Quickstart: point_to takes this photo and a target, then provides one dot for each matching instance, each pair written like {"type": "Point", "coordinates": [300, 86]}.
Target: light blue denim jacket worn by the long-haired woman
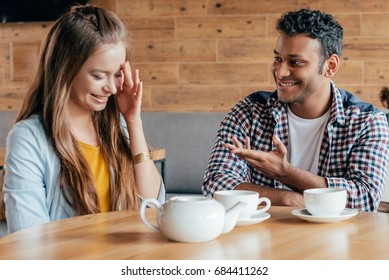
{"type": "Point", "coordinates": [32, 193]}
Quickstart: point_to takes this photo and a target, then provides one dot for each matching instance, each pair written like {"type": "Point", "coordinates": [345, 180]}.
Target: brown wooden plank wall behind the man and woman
{"type": "Point", "coordinates": [205, 55]}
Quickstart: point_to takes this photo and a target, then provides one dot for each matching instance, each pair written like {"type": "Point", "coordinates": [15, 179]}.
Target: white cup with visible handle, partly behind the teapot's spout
{"type": "Point", "coordinates": [251, 200]}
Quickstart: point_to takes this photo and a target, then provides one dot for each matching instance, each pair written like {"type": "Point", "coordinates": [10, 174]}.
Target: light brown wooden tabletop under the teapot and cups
{"type": "Point", "coordinates": [122, 235]}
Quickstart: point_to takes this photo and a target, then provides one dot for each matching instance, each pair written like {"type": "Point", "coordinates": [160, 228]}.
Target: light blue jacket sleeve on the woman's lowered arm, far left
{"type": "Point", "coordinates": [24, 183]}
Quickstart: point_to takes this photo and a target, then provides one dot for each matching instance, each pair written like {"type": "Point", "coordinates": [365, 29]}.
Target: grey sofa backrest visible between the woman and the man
{"type": "Point", "coordinates": [188, 139]}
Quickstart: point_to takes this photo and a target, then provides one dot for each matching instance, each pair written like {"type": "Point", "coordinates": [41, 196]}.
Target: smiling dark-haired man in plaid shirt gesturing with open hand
{"type": "Point", "coordinates": [306, 134]}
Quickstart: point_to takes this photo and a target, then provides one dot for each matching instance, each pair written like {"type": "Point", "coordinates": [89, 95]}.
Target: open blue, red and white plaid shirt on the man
{"type": "Point", "coordinates": [353, 155]}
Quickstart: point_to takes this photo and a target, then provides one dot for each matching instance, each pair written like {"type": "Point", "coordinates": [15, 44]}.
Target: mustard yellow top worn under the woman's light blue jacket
{"type": "Point", "coordinates": [98, 166]}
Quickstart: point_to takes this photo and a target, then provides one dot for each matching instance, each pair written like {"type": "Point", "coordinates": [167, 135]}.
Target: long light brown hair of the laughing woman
{"type": "Point", "coordinates": [71, 40]}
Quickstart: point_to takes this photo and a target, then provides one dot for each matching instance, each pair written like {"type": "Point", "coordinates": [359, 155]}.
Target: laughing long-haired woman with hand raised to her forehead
{"type": "Point", "coordinates": [78, 146]}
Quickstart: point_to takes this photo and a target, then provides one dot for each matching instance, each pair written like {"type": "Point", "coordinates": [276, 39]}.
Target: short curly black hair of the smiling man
{"type": "Point", "coordinates": [316, 25]}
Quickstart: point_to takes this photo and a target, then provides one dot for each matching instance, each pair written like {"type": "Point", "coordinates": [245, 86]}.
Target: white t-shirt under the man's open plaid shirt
{"type": "Point", "coordinates": [305, 137]}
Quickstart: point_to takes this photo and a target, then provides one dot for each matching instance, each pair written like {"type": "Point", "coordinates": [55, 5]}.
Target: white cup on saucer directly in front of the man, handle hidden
{"type": "Point", "coordinates": [325, 202]}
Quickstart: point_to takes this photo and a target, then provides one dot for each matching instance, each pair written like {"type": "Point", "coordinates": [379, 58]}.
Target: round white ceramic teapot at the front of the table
{"type": "Point", "coordinates": [191, 218]}
